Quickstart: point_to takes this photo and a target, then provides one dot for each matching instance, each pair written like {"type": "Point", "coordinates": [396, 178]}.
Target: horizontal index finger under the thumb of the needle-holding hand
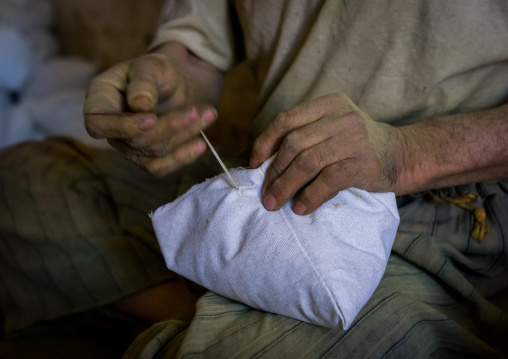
{"type": "Point", "coordinates": [118, 125]}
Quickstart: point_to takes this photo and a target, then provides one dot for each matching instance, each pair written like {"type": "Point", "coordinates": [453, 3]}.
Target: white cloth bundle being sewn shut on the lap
{"type": "Point", "coordinates": [320, 268]}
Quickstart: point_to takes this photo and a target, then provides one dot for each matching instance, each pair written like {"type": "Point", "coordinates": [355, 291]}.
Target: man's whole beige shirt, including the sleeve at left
{"type": "Point", "coordinates": [398, 60]}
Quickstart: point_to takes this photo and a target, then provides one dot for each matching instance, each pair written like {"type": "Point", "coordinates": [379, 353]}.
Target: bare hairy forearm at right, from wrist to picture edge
{"type": "Point", "coordinates": [454, 150]}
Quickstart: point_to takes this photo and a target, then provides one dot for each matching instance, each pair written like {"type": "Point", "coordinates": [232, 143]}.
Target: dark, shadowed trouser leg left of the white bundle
{"type": "Point", "coordinates": [75, 230]}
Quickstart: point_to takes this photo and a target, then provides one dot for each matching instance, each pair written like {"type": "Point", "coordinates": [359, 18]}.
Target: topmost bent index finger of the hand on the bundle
{"type": "Point", "coordinates": [285, 122]}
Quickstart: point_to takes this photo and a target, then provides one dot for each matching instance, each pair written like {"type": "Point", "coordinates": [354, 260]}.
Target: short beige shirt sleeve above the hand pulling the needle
{"type": "Point", "coordinates": [205, 27]}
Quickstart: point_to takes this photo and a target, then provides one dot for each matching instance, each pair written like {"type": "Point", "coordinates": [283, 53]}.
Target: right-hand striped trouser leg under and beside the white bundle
{"type": "Point", "coordinates": [442, 295]}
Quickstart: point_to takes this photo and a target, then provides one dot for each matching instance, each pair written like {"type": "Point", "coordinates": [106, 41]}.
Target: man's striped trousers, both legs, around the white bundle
{"type": "Point", "coordinates": [74, 235]}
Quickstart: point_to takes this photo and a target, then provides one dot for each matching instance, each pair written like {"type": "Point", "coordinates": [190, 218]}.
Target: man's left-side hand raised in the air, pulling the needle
{"type": "Point", "coordinates": [152, 108]}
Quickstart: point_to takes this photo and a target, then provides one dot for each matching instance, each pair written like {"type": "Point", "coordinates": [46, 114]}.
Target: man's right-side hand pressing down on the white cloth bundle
{"type": "Point", "coordinates": [325, 146]}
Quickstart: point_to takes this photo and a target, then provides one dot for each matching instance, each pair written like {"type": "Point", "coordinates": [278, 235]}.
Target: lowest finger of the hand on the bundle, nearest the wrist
{"type": "Point", "coordinates": [333, 179]}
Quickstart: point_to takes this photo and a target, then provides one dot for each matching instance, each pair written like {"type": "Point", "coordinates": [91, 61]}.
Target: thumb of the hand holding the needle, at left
{"type": "Point", "coordinates": [149, 79]}
